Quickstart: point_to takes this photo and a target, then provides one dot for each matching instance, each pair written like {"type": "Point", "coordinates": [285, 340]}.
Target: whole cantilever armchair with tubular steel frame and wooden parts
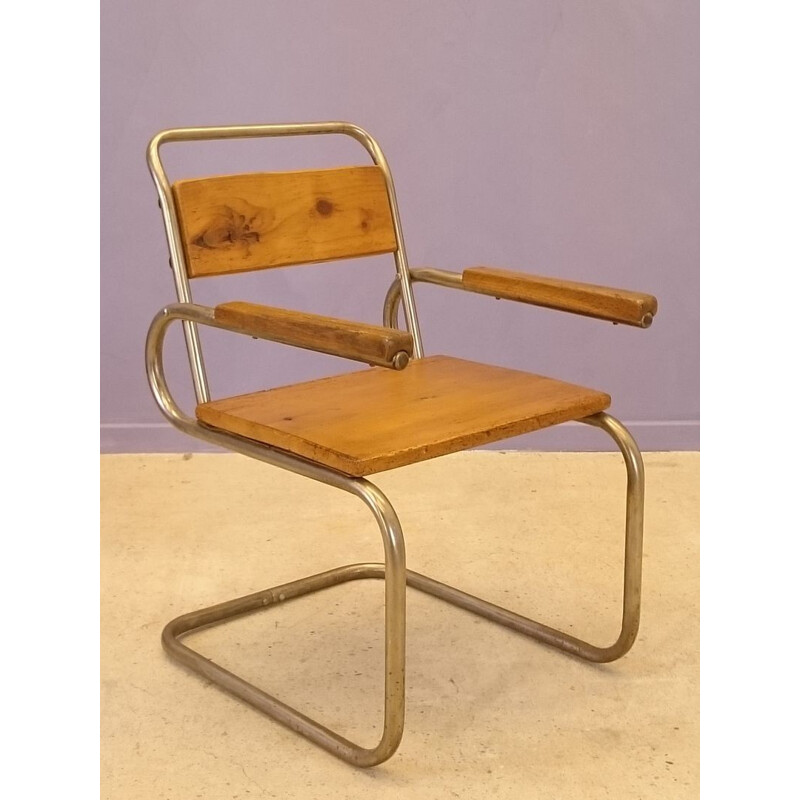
{"type": "Point", "coordinates": [404, 408]}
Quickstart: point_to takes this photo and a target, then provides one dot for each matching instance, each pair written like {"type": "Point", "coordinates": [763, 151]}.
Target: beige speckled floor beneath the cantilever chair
{"type": "Point", "coordinates": [490, 713]}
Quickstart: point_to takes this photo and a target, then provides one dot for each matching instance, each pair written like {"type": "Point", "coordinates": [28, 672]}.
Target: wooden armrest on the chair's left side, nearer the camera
{"type": "Point", "coordinates": [372, 344]}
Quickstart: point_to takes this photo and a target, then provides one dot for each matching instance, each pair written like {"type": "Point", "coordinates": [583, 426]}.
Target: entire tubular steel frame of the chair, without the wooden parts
{"type": "Point", "coordinates": [393, 571]}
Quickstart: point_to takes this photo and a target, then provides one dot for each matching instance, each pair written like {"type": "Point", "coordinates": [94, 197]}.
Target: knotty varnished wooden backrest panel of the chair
{"type": "Point", "coordinates": [238, 223]}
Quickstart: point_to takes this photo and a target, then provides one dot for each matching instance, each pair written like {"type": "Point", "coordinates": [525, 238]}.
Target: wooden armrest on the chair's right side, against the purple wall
{"type": "Point", "coordinates": [601, 302]}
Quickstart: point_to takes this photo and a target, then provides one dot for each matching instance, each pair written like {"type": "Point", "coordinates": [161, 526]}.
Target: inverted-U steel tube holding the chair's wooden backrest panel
{"type": "Point", "coordinates": [167, 204]}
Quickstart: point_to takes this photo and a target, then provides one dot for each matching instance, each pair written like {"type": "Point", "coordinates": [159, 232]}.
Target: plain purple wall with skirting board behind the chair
{"type": "Point", "coordinates": [559, 138]}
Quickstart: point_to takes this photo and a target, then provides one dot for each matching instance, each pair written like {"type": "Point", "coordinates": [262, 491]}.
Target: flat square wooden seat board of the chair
{"type": "Point", "coordinates": [378, 419]}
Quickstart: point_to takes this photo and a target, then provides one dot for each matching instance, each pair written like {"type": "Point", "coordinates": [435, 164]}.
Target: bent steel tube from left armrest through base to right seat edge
{"type": "Point", "coordinates": [393, 571]}
